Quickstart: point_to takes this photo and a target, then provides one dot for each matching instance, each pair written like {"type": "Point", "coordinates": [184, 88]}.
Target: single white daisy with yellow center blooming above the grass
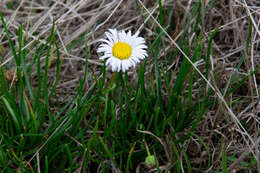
{"type": "Point", "coordinates": [122, 50]}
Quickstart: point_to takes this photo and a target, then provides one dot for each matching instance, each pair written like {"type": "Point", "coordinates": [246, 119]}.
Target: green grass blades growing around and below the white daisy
{"type": "Point", "coordinates": [116, 124]}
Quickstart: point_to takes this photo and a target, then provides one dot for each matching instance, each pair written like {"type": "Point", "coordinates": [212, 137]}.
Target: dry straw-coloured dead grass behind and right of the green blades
{"type": "Point", "coordinates": [90, 18]}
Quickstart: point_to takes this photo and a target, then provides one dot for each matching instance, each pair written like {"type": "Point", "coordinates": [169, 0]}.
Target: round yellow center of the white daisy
{"type": "Point", "coordinates": [121, 50]}
